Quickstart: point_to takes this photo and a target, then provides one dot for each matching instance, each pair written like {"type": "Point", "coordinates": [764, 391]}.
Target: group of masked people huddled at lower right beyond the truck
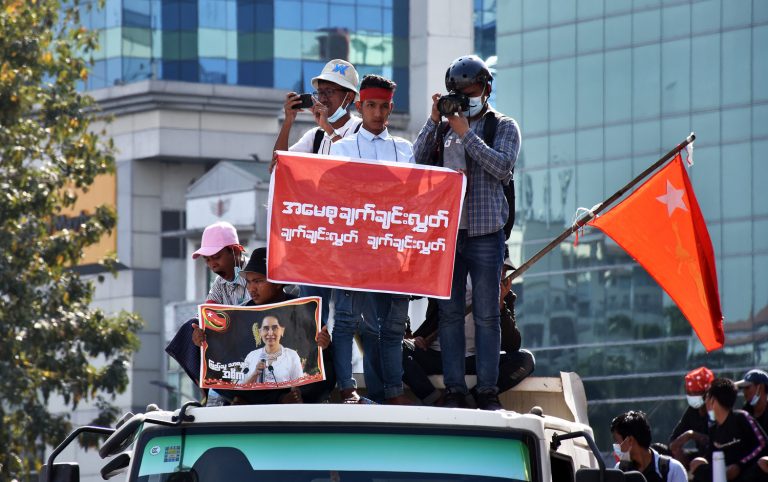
{"type": "Point", "coordinates": [709, 424]}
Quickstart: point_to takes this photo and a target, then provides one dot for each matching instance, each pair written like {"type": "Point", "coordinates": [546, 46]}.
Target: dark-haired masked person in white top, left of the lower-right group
{"type": "Point", "coordinates": [632, 445]}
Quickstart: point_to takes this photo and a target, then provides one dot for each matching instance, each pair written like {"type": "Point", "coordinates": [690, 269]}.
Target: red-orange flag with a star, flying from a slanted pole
{"type": "Point", "coordinates": [660, 225]}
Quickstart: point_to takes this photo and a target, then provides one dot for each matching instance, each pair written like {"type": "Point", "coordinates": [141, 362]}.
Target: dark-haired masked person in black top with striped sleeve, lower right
{"type": "Point", "coordinates": [735, 433]}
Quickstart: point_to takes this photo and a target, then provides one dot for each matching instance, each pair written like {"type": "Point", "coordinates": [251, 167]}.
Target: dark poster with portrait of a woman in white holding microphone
{"type": "Point", "coordinates": [261, 347]}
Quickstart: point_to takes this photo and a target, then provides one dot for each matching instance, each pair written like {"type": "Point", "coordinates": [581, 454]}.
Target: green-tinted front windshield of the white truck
{"type": "Point", "coordinates": [330, 456]}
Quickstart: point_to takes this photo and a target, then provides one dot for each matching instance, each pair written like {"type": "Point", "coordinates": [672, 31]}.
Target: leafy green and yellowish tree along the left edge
{"type": "Point", "coordinates": [51, 337]}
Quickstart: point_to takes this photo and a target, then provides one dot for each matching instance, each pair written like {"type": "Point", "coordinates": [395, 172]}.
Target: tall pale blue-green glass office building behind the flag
{"type": "Point", "coordinates": [601, 90]}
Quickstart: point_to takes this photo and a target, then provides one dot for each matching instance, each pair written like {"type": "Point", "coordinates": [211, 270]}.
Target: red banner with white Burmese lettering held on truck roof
{"type": "Point", "coordinates": [363, 225]}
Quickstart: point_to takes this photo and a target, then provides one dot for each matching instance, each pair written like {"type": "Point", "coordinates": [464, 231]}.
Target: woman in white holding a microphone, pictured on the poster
{"type": "Point", "coordinates": [272, 362]}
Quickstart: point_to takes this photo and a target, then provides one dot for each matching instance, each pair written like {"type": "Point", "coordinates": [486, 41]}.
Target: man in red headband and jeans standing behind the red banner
{"type": "Point", "coordinates": [386, 313]}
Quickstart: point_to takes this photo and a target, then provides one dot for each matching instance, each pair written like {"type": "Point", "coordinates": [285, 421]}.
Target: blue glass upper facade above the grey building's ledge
{"type": "Point", "coordinates": [263, 43]}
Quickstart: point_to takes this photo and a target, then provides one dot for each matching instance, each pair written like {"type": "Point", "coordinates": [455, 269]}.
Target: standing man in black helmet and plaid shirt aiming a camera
{"type": "Point", "coordinates": [463, 143]}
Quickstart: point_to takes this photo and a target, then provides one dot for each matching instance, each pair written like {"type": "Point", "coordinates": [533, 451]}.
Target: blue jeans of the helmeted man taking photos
{"type": "Point", "coordinates": [482, 258]}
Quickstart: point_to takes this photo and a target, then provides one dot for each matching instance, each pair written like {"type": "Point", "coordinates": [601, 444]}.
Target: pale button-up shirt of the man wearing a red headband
{"type": "Point", "coordinates": [381, 147]}
